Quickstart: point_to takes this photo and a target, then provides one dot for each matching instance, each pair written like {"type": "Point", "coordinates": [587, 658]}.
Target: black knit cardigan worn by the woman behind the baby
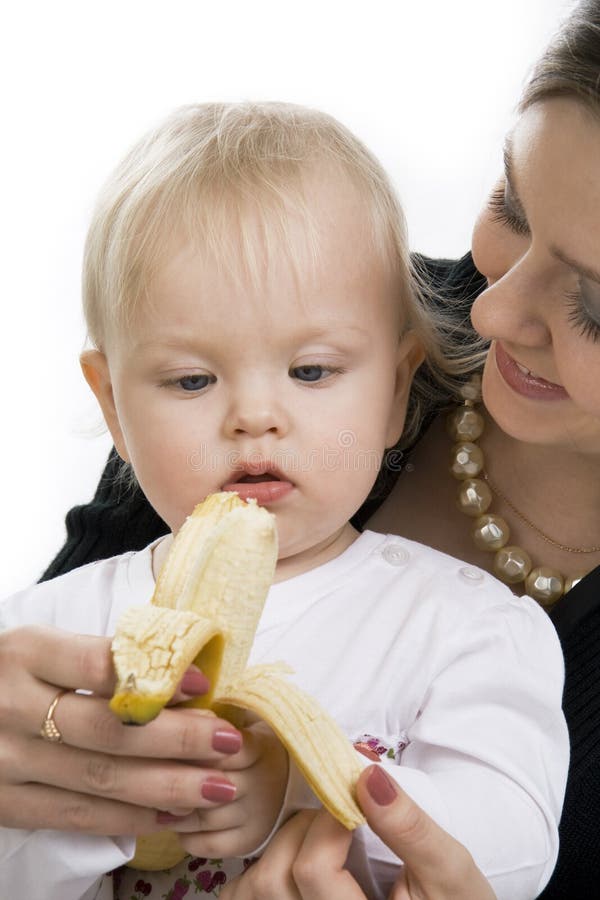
{"type": "Point", "coordinates": [120, 519]}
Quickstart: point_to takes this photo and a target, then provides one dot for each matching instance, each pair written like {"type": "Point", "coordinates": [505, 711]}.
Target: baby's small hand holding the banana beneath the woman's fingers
{"type": "Point", "coordinates": [259, 772]}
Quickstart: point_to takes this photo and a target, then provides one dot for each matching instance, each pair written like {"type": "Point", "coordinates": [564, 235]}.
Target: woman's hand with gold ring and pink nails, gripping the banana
{"type": "Point", "coordinates": [104, 778]}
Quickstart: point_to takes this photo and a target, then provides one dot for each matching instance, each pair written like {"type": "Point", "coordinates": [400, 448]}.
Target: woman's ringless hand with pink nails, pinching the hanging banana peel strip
{"type": "Point", "coordinates": [305, 860]}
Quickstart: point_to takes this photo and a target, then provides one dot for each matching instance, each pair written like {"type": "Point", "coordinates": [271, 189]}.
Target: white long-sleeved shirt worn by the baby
{"type": "Point", "coordinates": [415, 652]}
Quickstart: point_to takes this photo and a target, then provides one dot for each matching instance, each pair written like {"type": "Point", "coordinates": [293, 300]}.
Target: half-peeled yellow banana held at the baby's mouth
{"type": "Point", "coordinates": [205, 610]}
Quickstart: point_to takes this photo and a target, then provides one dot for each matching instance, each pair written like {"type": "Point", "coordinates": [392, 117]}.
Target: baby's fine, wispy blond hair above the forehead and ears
{"type": "Point", "coordinates": [210, 165]}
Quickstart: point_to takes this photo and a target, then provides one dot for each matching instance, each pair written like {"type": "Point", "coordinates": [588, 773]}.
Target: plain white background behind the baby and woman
{"type": "Point", "coordinates": [429, 85]}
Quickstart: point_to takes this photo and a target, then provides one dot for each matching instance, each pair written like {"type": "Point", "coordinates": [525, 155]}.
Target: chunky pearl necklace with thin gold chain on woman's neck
{"type": "Point", "coordinates": [511, 564]}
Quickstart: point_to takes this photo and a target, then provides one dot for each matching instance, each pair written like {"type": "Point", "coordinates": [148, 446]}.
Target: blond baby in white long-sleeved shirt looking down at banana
{"type": "Point", "coordinates": [255, 328]}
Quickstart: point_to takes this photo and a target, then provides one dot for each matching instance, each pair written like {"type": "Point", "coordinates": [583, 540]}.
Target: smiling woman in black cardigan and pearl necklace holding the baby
{"type": "Point", "coordinates": [536, 246]}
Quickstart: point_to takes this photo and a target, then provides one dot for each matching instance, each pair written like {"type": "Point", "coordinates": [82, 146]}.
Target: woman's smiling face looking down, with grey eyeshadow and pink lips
{"type": "Point", "coordinates": [538, 244]}
